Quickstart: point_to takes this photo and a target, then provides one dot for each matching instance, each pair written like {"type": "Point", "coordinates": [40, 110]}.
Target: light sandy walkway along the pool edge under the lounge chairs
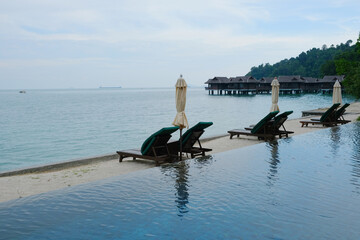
{"type": "Point", "coordinates": [29, 184]}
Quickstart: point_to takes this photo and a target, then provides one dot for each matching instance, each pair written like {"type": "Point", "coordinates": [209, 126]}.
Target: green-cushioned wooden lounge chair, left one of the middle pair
{"type": "Point", "coordinates": [262, 129]}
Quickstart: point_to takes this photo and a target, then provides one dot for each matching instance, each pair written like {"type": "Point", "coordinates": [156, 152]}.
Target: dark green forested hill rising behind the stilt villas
{"type": "Point", "coordinates": [343, 59]}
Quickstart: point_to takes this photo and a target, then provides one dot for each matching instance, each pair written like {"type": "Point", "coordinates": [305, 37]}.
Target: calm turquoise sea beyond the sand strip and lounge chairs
{"type": "Point", "coordinates": [45, 126]}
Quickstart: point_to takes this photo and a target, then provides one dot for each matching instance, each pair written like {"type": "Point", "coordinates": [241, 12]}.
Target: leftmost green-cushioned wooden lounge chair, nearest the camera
{"type": "Point", "coordinates": [154, 148]}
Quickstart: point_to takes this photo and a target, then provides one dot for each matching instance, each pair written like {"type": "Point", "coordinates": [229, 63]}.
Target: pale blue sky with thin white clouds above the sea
{"type": "Point", "coordinates": [149, 43]}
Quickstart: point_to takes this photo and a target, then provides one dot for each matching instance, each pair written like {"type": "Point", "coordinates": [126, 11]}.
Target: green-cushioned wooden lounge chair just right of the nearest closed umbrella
{"type": "Point", "coordinates": [189, 138]}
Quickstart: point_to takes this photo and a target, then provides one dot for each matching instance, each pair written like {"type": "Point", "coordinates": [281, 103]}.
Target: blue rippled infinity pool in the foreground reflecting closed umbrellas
{"type": "Point", "coordinates": [303, 187]}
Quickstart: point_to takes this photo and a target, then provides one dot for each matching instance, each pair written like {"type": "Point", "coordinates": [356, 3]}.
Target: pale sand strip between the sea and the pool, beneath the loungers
{"type": "Point", "coordinates": [44, 178]}
